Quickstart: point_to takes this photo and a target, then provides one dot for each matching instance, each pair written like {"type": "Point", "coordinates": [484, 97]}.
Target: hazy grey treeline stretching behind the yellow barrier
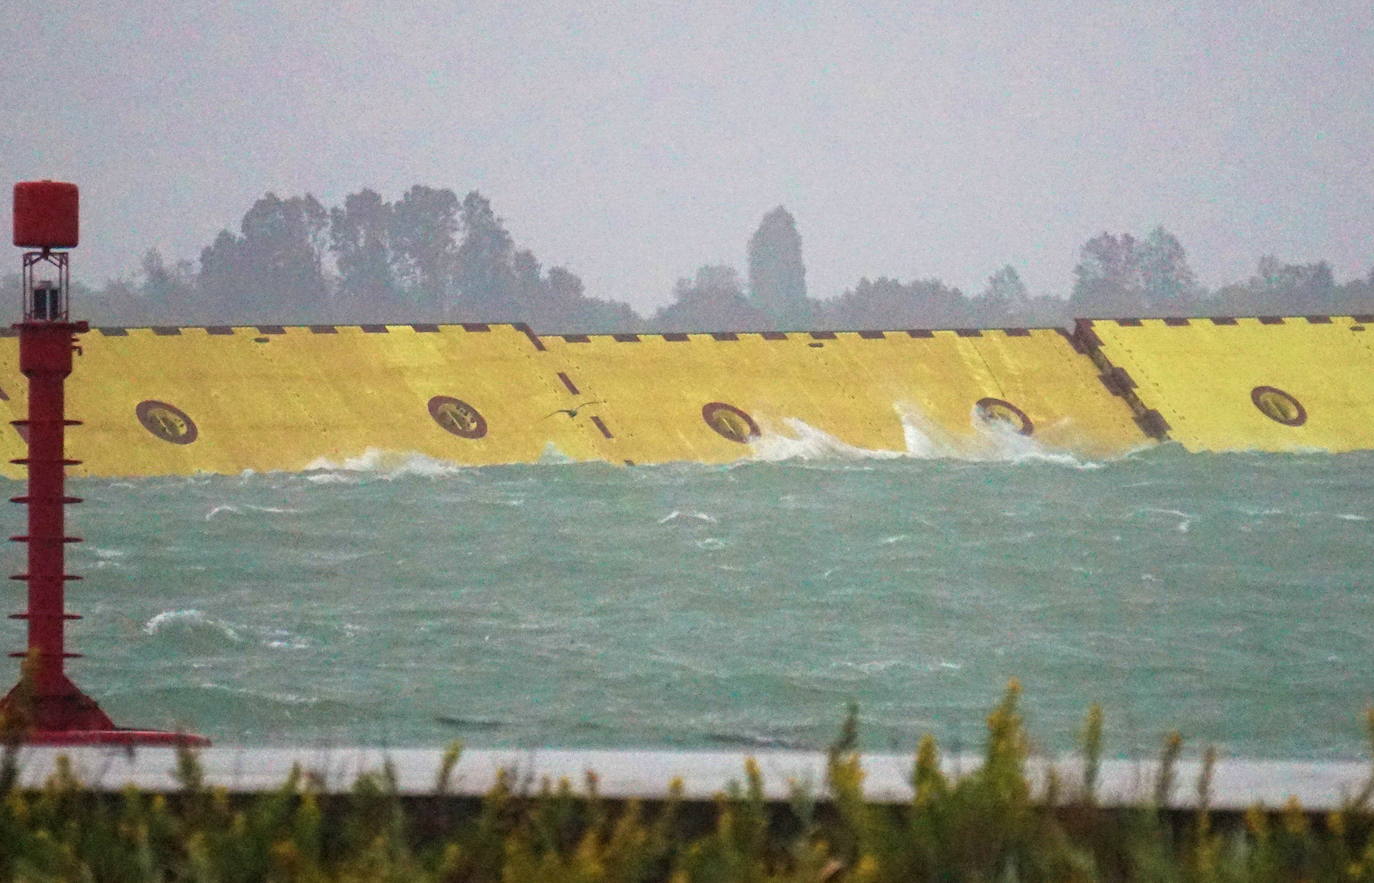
{"type": "Point", "coordinates": [433, 257]}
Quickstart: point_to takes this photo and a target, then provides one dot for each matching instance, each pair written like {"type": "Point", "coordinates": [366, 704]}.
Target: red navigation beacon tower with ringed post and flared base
{"type": "Point", "coordinates": [46, 708]}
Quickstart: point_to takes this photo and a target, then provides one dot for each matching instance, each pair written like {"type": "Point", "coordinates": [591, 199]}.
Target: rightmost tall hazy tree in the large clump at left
{"type": "Point", "coordinates": [484, 275]}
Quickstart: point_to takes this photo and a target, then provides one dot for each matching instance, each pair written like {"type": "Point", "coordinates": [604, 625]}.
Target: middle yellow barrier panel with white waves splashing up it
{"type": "Point", "coordinates": [719, 398]}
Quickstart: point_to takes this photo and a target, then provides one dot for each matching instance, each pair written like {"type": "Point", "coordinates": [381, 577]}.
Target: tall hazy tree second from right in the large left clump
{"type": "Point", "coordinates": [424, 240]}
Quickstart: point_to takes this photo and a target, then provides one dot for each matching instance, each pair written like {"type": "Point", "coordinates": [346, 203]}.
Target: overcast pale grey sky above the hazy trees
{"type": "Point", "coordinates": [635, 142]}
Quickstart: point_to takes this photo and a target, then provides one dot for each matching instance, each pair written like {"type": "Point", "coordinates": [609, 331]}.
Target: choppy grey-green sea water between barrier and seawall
{"type": "Point", "coordinates": [396, 601]}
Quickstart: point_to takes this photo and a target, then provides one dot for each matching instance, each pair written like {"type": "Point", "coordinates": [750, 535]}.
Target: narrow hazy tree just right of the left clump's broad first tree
{"type": "Point", "coordinates": [361, 241]}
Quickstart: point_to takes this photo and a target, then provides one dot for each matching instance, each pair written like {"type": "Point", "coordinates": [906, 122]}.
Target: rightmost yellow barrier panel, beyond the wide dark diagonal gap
{"type": "Point", "coordinates": [1261, 384]}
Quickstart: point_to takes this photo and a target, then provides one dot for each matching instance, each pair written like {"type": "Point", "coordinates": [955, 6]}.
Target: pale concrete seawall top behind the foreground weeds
{"type": "Point", "coordinates": [1237, 785]}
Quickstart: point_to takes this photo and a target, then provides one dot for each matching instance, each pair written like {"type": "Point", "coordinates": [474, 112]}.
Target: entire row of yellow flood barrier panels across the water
{"type": "Point", "coordinates": [175, 402]}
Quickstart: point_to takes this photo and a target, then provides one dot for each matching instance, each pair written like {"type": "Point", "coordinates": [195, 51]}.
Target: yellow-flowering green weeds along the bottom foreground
{"type": "Point", "coordinates": [987, 826]}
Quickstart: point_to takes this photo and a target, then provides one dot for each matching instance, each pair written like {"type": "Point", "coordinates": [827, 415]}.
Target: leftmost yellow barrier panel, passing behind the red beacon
{"type": "Point", "coordinates": [174, 402]}
